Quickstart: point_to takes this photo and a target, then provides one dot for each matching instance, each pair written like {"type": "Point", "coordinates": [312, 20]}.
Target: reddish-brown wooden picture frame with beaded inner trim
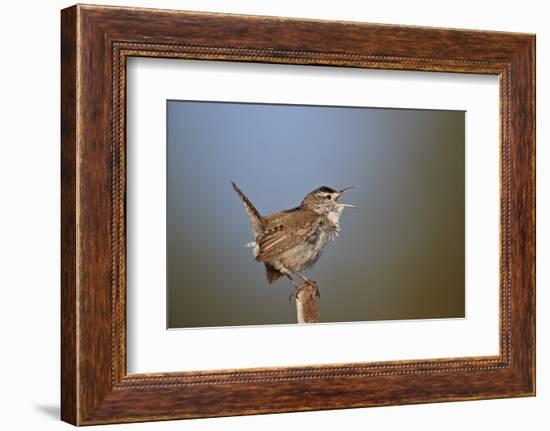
{"type": "Point", "coordinates": [95, 43]}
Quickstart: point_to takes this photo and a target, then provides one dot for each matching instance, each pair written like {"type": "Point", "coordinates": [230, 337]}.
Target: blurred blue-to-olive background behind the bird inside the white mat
{"type": "Point", "coordinates": [400, 255]}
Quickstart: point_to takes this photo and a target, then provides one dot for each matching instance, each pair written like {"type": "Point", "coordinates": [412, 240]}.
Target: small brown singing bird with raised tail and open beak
{"type": "Point", "coordinates": [289, 241]}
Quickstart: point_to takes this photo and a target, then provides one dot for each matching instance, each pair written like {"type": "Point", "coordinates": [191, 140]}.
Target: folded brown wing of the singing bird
{"type": "Point", "coordinates": [284, 233]}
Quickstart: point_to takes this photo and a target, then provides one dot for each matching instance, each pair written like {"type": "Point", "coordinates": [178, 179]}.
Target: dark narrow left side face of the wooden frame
{"type": "Point", "coordinates": [69, 304]}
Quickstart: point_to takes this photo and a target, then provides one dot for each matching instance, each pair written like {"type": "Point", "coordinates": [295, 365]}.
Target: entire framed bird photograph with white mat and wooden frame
{"type": "Point", "coordinates": [263, 214]}
